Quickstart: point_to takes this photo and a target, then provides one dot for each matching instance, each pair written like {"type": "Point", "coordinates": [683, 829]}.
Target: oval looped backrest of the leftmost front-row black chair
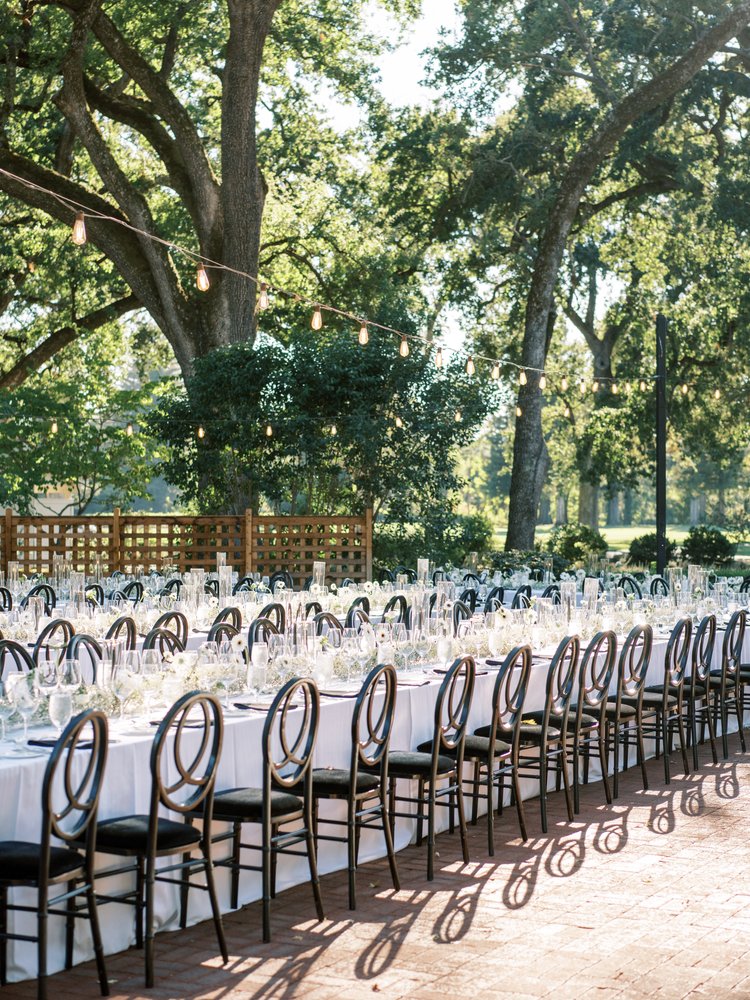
{"type": "Point", "coordinates": [70, 798]}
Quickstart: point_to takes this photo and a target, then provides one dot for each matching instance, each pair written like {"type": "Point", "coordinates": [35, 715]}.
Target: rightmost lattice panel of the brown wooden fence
{"type": "Point", "coordinates": [295, 543]}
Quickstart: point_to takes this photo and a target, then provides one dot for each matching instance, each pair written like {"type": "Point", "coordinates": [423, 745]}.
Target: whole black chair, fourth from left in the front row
{"type": "Point", "coordinates": [364, 785]}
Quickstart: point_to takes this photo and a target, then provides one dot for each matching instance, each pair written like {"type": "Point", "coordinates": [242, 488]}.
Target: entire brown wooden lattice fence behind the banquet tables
{"type": "Point", "coordinates": [251, 542]}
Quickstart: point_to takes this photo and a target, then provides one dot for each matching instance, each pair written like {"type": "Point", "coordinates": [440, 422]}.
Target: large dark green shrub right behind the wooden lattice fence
{"type": "Point", "coordinates": [395, 427]}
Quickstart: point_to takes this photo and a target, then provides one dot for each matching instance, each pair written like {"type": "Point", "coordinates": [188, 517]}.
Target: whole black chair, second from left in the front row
{"type": "Point", "coordinates": [182, 781]}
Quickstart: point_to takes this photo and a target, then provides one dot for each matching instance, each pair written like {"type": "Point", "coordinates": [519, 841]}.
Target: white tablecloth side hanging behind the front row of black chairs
{"type": "Point", "coordinates": [127, 785]}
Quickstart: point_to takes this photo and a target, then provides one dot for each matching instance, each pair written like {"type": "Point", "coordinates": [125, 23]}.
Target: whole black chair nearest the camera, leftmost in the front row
{"type": "Point", "coordinates": [70, 800]}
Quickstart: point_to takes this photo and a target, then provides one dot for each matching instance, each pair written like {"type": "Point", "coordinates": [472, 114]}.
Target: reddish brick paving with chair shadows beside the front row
{"type": "Point", "coordinates": [648, 897]}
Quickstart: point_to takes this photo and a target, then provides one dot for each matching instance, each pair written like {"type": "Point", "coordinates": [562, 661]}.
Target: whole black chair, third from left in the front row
{"type": "Point", "coordinates": [287, 771]}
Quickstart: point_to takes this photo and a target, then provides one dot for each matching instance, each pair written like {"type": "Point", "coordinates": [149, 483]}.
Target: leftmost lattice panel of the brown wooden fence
{"type": "Point", "coordinates": [35, 540]}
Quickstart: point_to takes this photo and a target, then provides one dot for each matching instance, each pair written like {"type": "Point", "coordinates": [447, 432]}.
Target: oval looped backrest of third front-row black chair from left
{"type": "Point", "coordinates": [289, 734]}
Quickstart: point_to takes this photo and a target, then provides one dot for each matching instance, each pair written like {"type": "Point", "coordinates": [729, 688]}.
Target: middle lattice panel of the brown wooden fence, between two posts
{"type": "Point", "coordinates": [183, 542]}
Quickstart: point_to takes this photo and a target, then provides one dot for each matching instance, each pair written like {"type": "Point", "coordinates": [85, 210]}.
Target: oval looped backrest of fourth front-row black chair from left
{"type": "Point", "coordinates": [372, 720]}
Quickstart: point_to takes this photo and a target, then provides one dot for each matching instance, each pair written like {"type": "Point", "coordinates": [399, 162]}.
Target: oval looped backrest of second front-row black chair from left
{"type": "Point", "coordinates": [183, 775]}
